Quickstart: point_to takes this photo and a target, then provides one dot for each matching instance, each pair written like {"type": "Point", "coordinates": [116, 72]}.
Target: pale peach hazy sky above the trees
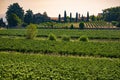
{"type": "Point", "coordinates": [55, 7]}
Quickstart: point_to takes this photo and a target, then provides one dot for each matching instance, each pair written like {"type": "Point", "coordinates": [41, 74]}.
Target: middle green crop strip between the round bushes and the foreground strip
{"type": "Point", "coordinates": [101, 49]}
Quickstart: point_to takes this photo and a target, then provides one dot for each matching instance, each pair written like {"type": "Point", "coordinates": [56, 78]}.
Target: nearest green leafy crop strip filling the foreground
{"type": "Point", "coordinates": [17, 66]}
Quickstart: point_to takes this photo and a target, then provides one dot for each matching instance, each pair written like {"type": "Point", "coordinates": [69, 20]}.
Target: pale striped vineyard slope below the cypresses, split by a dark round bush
{"type": "Point", "coordinates": [89, 25]}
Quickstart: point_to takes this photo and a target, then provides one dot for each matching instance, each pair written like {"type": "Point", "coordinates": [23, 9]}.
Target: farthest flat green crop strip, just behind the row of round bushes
{"type": "Point", "coordinates": [92, 34]}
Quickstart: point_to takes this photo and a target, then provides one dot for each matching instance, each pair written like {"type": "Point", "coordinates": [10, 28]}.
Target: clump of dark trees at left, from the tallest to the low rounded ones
{"type": "Point", "coordinates": [15, 16]}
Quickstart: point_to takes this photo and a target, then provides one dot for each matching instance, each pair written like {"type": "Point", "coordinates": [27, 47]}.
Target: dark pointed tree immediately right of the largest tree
{"type": "Point", "coordinates": [28, 17]}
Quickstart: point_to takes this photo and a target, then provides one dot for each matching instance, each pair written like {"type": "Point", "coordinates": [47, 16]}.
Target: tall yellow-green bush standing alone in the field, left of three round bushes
{"type": "Point", "coordinates": [31, 31]}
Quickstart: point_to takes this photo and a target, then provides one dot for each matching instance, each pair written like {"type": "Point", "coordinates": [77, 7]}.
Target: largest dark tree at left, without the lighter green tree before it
{"type": "Point", "coordinates": [14, 9]}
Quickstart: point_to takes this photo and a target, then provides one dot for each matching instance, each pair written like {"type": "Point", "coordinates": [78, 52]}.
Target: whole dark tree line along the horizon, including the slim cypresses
{"type": "Point", "coordinates": [16, 17]}
